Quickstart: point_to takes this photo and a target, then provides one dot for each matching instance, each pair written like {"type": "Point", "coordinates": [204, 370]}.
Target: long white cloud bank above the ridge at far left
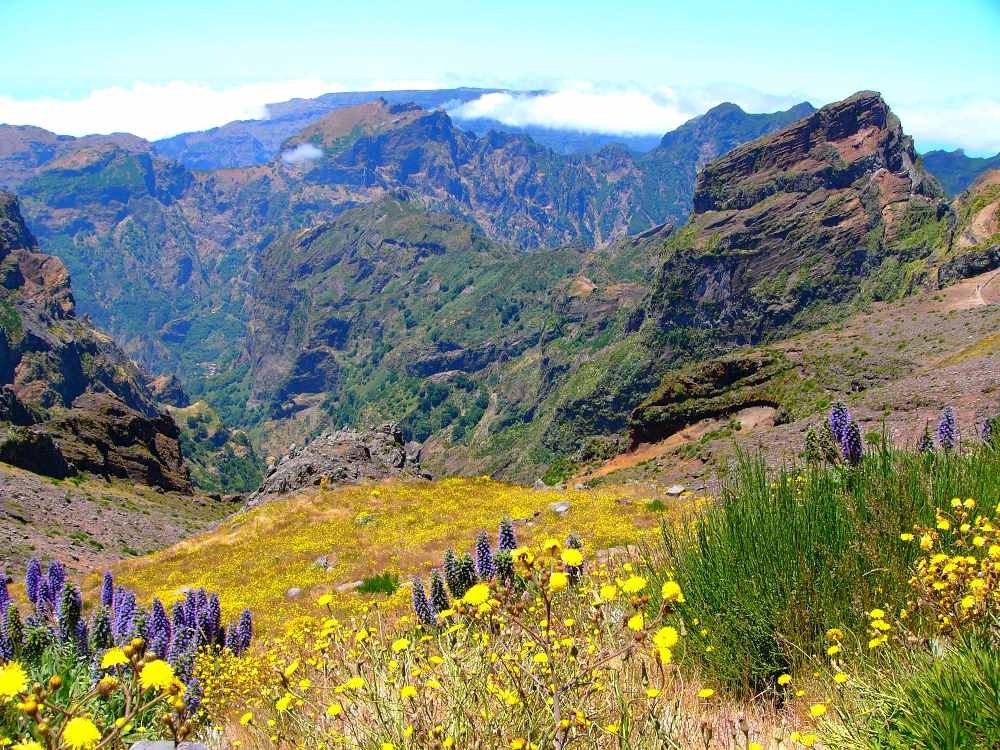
{"type": "Point", "coordinates": [156, 110]}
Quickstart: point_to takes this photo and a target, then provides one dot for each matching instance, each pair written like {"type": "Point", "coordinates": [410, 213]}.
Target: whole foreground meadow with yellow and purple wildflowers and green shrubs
{"type": "Point", "coordinates": [850, 601]}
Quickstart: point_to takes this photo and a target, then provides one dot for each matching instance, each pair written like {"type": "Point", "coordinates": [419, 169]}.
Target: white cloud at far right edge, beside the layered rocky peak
{"type": "Point", "coordinates": [973, 125]}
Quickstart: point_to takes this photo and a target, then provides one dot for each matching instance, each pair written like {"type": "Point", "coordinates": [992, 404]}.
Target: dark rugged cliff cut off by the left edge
{"type": "Point", "coordinates": [71, 399]}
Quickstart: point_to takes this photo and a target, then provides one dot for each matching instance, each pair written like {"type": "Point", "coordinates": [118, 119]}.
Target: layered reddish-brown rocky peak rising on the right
{"type": "Point", "coordinates": [800, 218]}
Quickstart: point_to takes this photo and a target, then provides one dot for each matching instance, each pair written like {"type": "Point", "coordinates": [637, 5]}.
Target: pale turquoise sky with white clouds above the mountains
{"type": "Point", "coordinates": [937, 63]}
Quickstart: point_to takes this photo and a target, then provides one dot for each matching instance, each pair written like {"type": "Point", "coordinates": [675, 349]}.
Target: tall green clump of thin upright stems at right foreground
{"type": "Point", "coordinates": [786, 555]}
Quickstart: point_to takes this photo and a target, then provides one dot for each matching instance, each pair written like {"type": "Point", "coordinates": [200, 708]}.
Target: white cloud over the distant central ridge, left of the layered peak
{"type": "Point", "coordinates": [582, 106]}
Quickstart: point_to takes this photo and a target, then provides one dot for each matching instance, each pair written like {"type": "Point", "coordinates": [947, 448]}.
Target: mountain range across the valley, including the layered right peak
{"type": "Point", "coordinates": [510, 305]}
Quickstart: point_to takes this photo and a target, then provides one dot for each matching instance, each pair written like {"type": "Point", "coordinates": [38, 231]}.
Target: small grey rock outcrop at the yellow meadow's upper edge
{"type": "Point", "coordinates": [344, 456]}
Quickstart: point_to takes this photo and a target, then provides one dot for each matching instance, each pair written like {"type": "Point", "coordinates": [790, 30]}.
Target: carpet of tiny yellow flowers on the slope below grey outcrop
{"type": "Point", "coordinates": [279, 558]}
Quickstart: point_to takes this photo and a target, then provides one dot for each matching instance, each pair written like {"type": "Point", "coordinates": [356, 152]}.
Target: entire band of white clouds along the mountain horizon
{"type": "Point", "coordinates": [161, 110]}
